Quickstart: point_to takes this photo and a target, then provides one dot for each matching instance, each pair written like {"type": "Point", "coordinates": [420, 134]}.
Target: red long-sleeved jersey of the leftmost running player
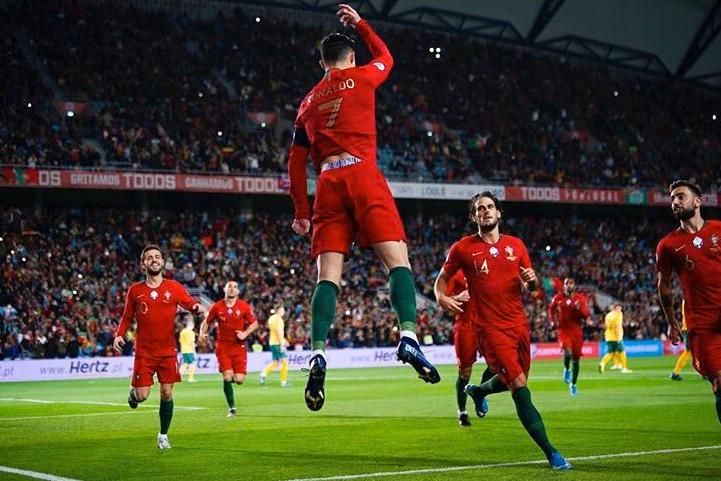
{"type": "Point", "coordinates": [154, 309]}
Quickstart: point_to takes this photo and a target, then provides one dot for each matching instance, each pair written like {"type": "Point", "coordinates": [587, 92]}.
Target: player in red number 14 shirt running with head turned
{"type": "Point", "coordinates": [498, 268]}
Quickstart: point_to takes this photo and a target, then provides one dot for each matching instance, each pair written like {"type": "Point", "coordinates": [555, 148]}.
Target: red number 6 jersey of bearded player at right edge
{"type": "Point", "coordinates": [697, 260]}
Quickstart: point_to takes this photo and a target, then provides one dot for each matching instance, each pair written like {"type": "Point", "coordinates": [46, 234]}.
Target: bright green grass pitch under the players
{"type": "Point", "coordinates": [374, 420]}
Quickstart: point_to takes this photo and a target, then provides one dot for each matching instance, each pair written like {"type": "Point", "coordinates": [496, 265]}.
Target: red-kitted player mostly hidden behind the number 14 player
{"type": "Point", "coordinates": [467, 344]}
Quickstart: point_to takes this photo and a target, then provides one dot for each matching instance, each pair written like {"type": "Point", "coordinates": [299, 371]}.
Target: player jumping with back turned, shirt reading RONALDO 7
{"type": "Point", "coordinates": [336, 126]}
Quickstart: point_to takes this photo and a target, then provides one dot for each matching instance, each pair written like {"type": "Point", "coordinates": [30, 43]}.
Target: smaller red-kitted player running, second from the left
{"type": "Point", "coordinates": [236, 322]}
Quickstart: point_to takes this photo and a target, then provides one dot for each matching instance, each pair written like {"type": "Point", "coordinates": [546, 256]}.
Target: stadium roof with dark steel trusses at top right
{"type": "Point", "coordinates": [669, 38]}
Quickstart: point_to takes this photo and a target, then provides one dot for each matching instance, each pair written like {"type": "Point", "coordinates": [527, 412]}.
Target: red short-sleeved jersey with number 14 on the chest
{"type": "Point", "coordinates": [493, 275]}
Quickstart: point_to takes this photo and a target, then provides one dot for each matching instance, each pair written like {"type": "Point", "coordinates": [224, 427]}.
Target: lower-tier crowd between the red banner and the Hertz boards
{"type": "Point", "coordinates": [65, 273]}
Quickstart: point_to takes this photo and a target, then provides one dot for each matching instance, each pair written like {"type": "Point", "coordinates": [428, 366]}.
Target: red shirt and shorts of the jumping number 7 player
{"type": "Point", "coordinates": [353, 201]}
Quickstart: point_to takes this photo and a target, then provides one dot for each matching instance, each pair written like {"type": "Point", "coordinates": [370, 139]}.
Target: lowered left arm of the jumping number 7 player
{"type": "Point", "coordinates": [297, 164]}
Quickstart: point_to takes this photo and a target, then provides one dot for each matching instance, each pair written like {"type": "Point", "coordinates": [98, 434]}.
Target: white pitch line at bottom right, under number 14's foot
{"type": "Point", "coordinates": [382, 474]}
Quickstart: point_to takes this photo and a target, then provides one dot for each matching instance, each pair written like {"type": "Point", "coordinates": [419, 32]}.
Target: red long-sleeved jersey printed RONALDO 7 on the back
{"type": "Point", "coordinates": [338, 115]}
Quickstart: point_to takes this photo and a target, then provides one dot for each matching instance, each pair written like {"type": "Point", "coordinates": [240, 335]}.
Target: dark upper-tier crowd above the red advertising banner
{"type": "Point", "coordinates": [220, 96]}
